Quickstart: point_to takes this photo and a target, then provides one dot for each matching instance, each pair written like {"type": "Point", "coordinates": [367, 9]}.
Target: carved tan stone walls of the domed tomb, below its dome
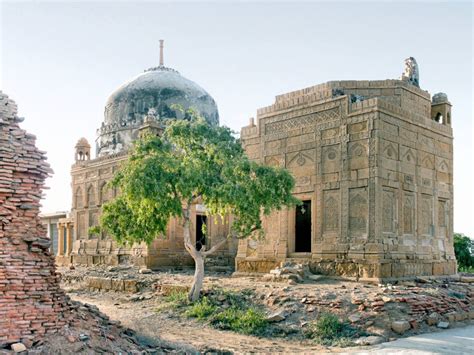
{"type": "Point", "coordinates": [90, 192]}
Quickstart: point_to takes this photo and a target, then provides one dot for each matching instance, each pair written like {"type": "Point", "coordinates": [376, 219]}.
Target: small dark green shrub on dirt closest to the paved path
{"type": "Point", "coordinates": [329, 330]}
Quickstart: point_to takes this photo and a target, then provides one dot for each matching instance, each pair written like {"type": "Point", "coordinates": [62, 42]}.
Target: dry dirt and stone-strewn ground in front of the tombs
{"type": "Point", "coordinates": [372, 308]}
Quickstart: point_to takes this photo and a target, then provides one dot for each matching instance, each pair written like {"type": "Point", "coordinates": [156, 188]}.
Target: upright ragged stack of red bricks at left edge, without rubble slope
{"type": "Point", "coordinates": [31, 302]}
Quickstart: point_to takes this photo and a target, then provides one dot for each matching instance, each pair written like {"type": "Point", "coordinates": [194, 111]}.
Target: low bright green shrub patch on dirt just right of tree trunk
{"type": "Point", "coordinates": [246, 321]}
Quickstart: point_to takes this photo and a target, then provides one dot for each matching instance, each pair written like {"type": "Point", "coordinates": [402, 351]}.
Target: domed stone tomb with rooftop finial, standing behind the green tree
{"type": "Point", "coordinates": [143, 103]}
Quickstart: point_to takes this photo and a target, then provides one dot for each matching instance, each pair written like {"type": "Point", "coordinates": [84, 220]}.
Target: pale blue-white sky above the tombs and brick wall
{"type": "Point", "coordinates": [60, 60]}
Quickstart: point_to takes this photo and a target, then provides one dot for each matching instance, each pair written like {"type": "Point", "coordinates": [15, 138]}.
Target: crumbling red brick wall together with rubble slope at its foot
{"type": "Point", "coordinates": [35, 313]}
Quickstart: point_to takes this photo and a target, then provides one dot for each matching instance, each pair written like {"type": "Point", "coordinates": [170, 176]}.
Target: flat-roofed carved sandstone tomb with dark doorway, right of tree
{"type": "Point", "coordinates": [373, 163]}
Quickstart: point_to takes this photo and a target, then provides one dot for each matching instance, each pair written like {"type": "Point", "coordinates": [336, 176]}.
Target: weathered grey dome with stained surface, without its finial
{"type": "Point", "coordinates": [157, 89]}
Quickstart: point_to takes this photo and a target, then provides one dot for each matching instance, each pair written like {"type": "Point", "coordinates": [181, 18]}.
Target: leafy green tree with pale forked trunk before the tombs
{"type": "Point", "coordinates": [193, 162]}
